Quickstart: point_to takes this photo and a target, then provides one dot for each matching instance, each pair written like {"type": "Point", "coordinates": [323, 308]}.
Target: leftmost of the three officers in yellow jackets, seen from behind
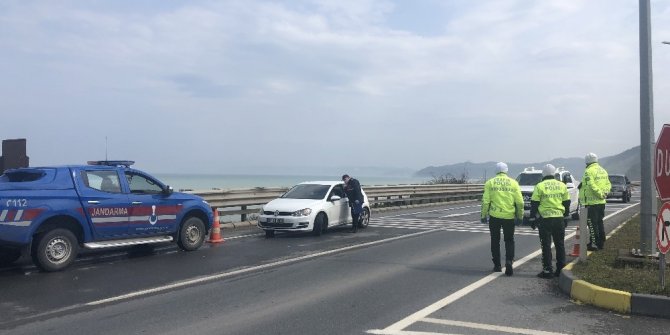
{"type": "Point", "coordinates": [502, 204]}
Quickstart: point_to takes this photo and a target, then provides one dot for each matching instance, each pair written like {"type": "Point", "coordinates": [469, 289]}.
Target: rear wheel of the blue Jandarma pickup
{"type": "Point", "coordinates": [55, 249]}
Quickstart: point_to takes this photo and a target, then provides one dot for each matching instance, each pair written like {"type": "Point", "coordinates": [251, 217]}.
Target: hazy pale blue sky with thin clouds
{"type": "Point", "coordinates": [246, 86]}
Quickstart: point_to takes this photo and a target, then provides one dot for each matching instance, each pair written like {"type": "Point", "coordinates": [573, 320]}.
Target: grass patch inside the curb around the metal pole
{"type": "Point", "coordinates": [602, 269]}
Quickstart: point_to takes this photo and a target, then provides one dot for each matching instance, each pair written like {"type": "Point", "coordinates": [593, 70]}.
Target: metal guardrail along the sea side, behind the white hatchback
{"type": "Point", "coordinates": [246, 201]}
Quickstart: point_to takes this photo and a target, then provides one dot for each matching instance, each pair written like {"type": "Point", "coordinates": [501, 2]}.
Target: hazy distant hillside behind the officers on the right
{"type": "Point", "coordinates": [627, 162]}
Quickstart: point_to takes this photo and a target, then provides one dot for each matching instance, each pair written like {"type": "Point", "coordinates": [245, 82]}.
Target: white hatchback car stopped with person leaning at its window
{"type": "Point", "coordinates": [310, 206]}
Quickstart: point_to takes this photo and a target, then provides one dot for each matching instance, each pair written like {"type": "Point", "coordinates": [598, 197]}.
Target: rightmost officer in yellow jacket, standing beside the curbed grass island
{"type": "Point", "coordinates": [593, 194]}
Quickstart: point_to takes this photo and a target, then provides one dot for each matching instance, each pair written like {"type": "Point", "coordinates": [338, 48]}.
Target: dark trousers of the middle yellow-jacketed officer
{"type": "Point", "coordinates": [552, 229]}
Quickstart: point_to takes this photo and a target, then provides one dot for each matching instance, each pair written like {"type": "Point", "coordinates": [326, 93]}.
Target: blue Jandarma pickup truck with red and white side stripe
{"type": "Point", "coordinates": [50, 213]}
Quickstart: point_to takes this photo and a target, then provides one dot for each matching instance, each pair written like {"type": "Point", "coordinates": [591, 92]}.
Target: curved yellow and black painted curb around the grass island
{"type": "Point", "coordinates": [614, 300]}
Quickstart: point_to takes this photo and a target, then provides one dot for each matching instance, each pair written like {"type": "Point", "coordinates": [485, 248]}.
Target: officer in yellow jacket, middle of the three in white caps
{"type": "Point", "coordinates": [549, 207]}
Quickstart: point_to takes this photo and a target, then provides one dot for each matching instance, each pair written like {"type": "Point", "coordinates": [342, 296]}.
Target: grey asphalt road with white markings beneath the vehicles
{"type": "Point", "coordinates": [411, 272]}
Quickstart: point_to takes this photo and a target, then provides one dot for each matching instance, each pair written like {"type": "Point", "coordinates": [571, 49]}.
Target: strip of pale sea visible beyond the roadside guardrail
{"type": "Point", "coordinates": [202, 182]}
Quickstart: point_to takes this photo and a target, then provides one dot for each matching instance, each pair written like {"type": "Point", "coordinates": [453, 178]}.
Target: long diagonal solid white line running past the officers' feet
{"type": "Point", "coordinates": [398, 327]}
